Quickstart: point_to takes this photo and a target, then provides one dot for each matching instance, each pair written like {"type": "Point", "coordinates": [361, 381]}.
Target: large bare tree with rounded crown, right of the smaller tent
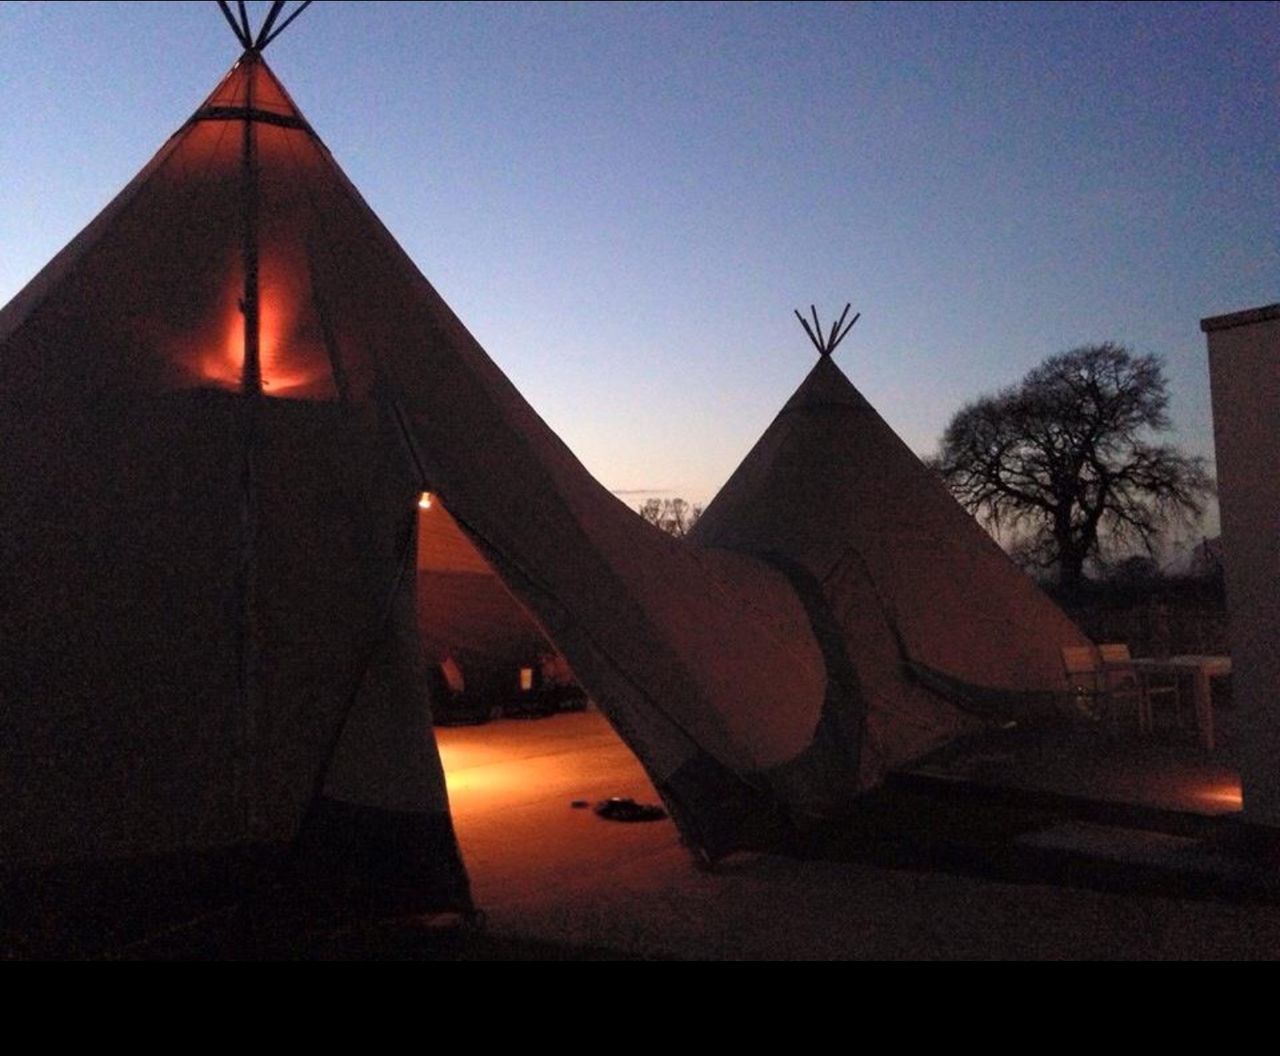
{"type": "Point", "coordinates": [1067, 458]}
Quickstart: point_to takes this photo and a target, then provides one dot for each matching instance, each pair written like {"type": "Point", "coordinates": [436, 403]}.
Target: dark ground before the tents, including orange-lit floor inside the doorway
{"type": "Point", "coordinates": [1050, 845]}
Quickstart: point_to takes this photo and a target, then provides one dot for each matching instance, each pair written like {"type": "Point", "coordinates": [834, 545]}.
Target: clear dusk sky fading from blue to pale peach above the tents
{"type": "Point", "coordinates": [625, 202]}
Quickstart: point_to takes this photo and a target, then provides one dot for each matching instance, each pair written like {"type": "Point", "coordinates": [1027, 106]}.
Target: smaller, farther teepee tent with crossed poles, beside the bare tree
{"type": "Point", "coordinates": [938, 624]}
